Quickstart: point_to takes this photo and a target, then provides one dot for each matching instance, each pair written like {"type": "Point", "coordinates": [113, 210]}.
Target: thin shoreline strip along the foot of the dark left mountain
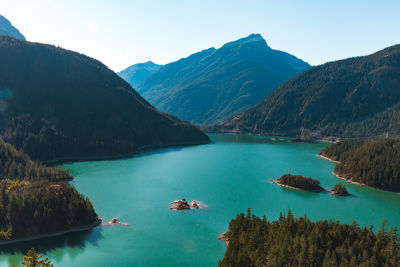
{"type": "Point", "coordinates": [119, 156]}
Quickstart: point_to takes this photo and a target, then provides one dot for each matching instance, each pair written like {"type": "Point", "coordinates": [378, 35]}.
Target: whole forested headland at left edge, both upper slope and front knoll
{"type": "Point", "coordinates": [34, 200]}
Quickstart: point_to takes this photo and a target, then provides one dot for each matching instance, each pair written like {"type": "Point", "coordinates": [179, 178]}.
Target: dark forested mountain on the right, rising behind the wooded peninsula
{"type": "Point", "coordinates": [355, 97]}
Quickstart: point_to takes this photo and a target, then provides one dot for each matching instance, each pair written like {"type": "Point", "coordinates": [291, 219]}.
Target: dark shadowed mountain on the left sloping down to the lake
{"type": "Point", "coordinates": [58, 104]}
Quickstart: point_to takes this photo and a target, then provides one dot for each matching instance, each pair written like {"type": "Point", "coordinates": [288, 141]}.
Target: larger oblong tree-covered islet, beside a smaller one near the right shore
{"type": "Point", "coordinates": [299, 182]}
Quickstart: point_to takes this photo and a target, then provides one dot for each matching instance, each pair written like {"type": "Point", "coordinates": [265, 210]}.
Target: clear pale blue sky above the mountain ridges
{"type": "Point", "coordinates": [123, 32]}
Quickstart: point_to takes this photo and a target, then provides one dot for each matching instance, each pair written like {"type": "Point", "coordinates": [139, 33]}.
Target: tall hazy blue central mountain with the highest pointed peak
{"type": "Point", "coordinates": [215, 84]}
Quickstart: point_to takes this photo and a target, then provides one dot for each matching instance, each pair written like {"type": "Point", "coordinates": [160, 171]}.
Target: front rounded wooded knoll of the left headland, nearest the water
{"type": "Point", "coordinates": [42, 207]}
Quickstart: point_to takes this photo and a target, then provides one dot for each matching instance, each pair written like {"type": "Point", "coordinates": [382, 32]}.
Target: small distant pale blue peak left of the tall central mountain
{"type": "Point", "coordinates": [135, 74]}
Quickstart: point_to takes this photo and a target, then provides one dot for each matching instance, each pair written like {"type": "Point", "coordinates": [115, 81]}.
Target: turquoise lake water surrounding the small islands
{"type": "Point", "coordinates": [229, 175]}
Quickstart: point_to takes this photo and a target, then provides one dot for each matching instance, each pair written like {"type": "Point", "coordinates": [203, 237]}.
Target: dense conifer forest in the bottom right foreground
{"type": "Point", "coordinates": [291, 241]}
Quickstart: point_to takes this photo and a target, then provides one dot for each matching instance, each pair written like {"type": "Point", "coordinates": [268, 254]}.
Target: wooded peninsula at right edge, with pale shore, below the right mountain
{"type": "Point", "coordinates": [375, 163]}
